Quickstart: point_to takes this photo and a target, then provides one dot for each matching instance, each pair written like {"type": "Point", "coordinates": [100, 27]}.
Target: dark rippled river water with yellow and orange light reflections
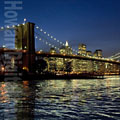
{"type": "Point", "coordinates": [97, 99]}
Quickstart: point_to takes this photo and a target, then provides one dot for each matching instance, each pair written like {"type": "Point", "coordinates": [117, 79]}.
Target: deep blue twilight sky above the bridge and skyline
{"type": "Point", "coordinates": [93, 22]}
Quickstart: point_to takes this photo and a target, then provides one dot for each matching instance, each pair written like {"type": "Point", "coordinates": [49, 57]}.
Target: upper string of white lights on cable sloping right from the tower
{"type": "Point", "coordinates": [61, 43]}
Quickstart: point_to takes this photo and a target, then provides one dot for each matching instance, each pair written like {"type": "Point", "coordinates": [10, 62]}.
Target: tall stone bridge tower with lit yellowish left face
{"type": "Point", "coordinates": [24, 40]}
